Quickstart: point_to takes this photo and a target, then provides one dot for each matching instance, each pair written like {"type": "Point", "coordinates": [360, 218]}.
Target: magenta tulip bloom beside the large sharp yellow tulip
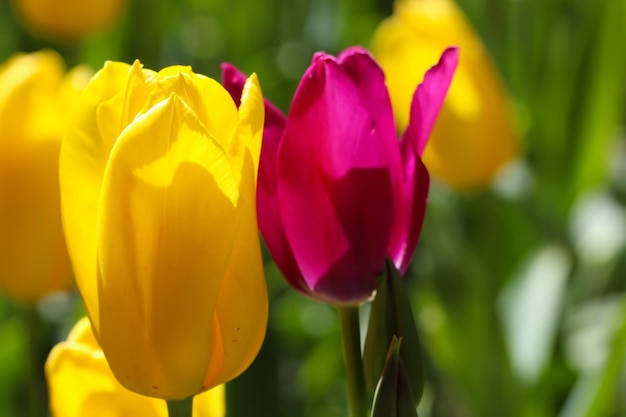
{"type": "Point", "coordinates": [338, 192]}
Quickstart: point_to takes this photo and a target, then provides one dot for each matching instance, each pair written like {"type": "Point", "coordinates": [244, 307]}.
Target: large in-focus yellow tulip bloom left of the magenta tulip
{"type": "Point", "coordinates": [158, 193]}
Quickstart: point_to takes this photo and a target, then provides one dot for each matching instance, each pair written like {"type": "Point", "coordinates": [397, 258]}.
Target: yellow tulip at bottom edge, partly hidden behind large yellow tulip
{"type": "Point", "coordinates": [80, 383]}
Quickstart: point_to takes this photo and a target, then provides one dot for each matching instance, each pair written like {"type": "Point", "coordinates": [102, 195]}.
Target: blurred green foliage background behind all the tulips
{"type": "Point", "coordinates": [518, 289]}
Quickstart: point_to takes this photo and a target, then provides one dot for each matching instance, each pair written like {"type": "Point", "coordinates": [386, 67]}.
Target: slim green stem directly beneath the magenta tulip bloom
{"type": "Point", "coordinates": [355, 379]}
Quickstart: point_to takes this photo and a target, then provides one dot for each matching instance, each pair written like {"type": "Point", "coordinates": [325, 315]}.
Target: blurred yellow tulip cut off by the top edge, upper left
{"type": "Point", "coordinates": [69, 20]}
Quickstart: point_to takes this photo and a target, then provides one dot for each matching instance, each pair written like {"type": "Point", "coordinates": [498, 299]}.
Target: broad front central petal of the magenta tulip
{"type": "Point", "coordinates": [334, 184]}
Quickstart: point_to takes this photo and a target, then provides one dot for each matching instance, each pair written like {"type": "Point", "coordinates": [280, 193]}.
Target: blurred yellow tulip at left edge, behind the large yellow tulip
{"type": "Point", "coordinates": [36, 96]}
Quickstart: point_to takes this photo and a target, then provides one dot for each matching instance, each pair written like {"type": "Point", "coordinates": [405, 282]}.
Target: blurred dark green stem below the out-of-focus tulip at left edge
{"type": "Point", "coordinates": [36, 350]}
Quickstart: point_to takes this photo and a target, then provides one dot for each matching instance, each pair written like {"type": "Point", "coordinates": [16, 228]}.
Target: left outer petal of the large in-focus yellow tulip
{"type": "Point", "coordinates": [84, 153]}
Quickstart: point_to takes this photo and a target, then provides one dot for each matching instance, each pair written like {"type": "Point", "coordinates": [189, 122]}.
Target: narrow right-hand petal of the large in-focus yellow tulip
{"type": "Point", "coordinates": [242, 306]}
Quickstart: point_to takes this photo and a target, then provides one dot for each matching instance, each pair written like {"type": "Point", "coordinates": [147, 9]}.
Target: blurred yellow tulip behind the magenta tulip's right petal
{"type": "Point", "coordinates": [474, 135]}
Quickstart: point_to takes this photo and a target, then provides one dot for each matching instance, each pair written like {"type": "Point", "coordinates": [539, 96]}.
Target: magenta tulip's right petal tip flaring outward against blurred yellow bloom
{"type": "Point", "coordinates": [429, 97]}
